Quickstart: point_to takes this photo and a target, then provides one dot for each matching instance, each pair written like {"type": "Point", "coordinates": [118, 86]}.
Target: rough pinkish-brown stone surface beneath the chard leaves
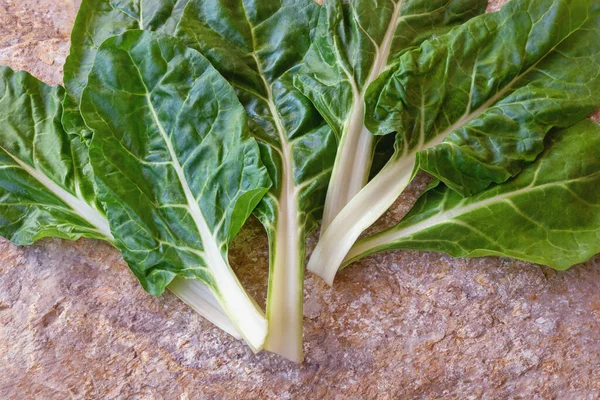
{"type": "Point", "coordinates": [74, 323]}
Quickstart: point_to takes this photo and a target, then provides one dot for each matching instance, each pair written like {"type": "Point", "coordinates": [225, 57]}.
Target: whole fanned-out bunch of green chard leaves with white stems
{"type": "Point", "coordinates": [179, 119]}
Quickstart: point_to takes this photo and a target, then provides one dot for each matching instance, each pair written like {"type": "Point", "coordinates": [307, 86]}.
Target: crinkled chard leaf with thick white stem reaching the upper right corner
{"type": "Point", "coordinates": [472, 107]}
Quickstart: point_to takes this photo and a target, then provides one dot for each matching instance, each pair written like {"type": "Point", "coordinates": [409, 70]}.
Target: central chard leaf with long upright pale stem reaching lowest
{"type": "Point", "coordinates": [258, 46]}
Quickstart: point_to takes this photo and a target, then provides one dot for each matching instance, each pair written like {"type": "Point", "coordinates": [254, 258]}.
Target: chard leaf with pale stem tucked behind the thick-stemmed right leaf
{"type": "Point", "coordinates": [355, 42]}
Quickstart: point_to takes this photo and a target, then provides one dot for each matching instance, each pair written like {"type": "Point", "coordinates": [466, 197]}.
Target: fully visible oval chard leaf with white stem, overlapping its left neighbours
{"type": "Point", "coordinates": [176, 168]}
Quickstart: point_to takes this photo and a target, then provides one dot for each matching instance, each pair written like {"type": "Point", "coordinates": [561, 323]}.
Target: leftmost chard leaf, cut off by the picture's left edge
{"type": "Point", "coordinates": [46, 183]}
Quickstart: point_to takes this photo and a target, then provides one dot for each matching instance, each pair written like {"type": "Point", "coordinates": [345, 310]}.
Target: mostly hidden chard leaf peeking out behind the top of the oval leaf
{"type": "Point", "coordinates": [96, 21]}
